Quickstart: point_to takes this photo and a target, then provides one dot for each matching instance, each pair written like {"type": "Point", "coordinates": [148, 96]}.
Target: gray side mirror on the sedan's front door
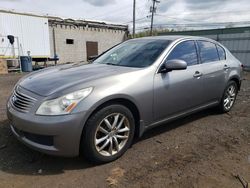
{"type": "Point", "coordinates": [175, 64]}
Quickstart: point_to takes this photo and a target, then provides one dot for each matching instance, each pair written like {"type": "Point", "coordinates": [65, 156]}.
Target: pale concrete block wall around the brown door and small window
{"type": "Point", "coordinates": [77, 52]}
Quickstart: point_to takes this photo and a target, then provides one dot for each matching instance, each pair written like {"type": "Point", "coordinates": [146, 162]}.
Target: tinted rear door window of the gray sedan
{"type": "Point", "coordinates": [208, 51]}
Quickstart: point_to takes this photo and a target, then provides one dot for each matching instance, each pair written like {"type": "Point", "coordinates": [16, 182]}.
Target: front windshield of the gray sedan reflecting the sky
{"type": "Point", "coordinates": [134, 53]}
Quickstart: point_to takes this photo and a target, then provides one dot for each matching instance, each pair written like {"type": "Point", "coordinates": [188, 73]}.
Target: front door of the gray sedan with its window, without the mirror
{"type": "Point", "coordinates": [178, 90]}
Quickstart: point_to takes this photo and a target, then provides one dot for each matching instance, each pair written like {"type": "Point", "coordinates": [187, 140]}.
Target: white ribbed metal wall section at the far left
{"type": "Point", "coordinates": [31, 34]}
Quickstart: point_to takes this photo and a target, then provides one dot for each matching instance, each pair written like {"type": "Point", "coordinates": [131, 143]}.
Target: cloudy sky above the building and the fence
{"type": "Point", "coordinates": [120, 11]}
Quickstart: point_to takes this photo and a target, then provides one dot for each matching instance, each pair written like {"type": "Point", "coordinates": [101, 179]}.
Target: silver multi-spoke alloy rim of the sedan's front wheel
{"type": "Point", "coordinates": [112, 134]}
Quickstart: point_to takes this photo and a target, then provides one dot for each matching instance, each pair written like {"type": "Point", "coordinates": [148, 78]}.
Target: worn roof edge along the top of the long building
{"type": "Point", "coordinates": [72, 22]}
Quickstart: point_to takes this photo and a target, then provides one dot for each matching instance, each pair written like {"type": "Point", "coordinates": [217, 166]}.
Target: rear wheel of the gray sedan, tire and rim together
{"type": "Point", "coordinates": [228, 98]}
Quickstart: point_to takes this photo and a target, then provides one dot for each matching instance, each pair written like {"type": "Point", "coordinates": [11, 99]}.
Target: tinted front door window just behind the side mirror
{"type": "Point", "coordinates": [185, 51]}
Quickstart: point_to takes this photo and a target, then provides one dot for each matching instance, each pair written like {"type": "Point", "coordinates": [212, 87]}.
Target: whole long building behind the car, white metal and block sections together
{"type": "Point", "coordinates": [46, 37]}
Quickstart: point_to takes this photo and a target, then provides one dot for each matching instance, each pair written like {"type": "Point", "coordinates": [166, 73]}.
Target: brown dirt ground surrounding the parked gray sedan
{"type": "Point", "coordinates": [203, 150]}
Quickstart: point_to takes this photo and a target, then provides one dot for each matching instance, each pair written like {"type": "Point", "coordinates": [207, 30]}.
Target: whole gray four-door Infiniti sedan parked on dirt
{"type": "Point", "coordinates": [98, 108]}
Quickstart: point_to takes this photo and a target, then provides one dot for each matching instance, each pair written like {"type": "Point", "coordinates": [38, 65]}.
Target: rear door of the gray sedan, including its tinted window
{"type": "Point", "coordinates": [212, 63]}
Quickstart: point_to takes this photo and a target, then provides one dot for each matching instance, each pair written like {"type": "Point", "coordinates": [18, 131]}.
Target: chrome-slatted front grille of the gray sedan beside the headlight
{"type": "Point", "coordinates": [22, 102]}
